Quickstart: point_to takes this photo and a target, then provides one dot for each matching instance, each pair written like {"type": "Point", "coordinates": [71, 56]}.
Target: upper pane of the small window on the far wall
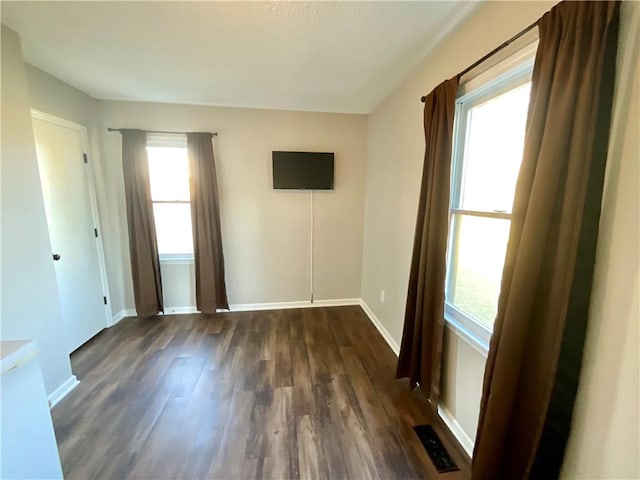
{"type": "Point", "coordinates": [168, 173]}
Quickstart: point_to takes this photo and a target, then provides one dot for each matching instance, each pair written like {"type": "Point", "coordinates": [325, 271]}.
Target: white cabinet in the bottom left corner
{"type": "Point", "coordinates": [27, 441]}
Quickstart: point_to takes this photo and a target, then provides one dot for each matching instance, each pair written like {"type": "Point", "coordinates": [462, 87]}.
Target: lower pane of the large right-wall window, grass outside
{"type": "Point", "coordinates": [477, 258]}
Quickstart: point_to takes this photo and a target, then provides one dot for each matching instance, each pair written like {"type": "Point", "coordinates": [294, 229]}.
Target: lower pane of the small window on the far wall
{"type": "Point", "coordinates": [173, 227]}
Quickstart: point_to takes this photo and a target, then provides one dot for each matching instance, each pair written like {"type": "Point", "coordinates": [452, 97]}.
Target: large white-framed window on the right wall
{"type": "Point", "coordinates": [488, 144]}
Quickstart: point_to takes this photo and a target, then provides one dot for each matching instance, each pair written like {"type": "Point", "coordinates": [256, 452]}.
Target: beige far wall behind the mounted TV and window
{"type": "Point", "coordinates": [266, 233]}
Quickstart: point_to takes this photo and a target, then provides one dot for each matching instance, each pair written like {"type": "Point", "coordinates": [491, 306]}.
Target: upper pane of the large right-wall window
{"type": "Point", "coordinates": [493, 151]}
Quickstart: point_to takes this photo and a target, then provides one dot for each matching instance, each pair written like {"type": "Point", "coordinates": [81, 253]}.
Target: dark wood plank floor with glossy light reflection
{"type": "Point", "coordinates": [305, 393]}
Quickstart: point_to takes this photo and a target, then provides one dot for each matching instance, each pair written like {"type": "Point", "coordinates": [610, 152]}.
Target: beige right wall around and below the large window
{"type": "Point", "coordinates": [395, 153]}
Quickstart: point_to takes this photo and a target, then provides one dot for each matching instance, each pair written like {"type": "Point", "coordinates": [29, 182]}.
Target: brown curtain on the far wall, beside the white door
{"type": "Point", "coordinates": [143, 247]}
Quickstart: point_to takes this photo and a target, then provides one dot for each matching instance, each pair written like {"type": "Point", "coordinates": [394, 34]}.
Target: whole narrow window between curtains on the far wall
{"type": "Point", "coordinates": [169, 179]}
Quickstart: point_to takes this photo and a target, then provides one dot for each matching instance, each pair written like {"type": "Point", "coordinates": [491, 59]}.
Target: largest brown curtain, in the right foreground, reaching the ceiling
{"type": "Point", "coordinates": [535, 355]}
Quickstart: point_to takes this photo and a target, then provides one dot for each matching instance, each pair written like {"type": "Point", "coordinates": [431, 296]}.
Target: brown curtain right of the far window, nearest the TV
{"type": "Point", "coordinates": [211, 291]}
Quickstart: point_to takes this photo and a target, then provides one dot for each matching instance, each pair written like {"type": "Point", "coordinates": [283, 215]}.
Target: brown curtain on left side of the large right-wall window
{"type": "Point", "coordinates": [421, 346]}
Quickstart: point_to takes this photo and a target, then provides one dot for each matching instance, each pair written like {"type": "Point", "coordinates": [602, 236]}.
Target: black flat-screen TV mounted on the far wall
{"type": "Point", "coordinates": [302, 171]}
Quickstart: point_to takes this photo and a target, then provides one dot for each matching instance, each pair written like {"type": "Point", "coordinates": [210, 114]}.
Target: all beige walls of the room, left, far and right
{"type": "Point", "coordinates": [265, 232]}
